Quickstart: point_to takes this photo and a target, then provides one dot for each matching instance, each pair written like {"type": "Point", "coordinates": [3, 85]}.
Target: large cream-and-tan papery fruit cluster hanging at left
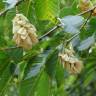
{"type": "Point", "coordinates": [24, 32]}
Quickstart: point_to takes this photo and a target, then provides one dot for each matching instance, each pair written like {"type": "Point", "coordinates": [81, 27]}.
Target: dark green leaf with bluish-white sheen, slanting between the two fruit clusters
{"type": "Point", "coordinates": [35, 65]}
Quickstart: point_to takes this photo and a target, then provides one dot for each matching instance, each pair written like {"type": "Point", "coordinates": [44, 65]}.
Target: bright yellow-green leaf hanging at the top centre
{"type": "Point", "coordinates": [47, 9]}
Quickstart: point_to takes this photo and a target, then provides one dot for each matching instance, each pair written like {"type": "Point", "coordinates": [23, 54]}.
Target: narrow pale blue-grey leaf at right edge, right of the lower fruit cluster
{"type": "Point", "coordinates": [85, 44]}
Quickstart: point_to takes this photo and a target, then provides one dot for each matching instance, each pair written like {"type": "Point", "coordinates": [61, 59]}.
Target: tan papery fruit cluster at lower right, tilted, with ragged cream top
{"type": "Point", "coordinates": [70, 62]}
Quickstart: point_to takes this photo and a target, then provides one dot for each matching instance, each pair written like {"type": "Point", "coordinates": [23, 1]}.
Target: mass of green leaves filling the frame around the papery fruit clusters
{"type": "Point", "coordinates": [38, 72]}
